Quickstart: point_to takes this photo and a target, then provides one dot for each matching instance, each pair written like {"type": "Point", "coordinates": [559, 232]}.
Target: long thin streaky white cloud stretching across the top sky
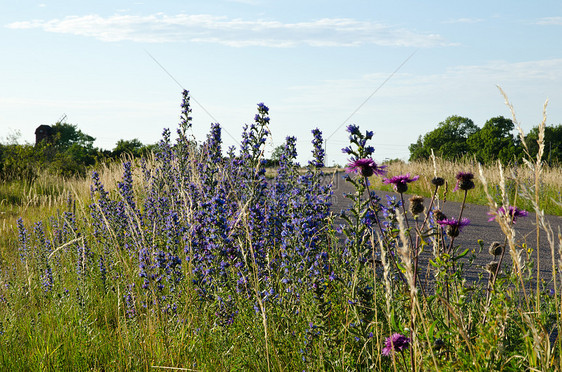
{"type": "Point", "coordinates": [234, 32]}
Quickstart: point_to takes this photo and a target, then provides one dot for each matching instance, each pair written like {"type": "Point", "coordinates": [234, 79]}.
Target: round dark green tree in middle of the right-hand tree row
{"type": "Point", "coordinates": [494, 141]}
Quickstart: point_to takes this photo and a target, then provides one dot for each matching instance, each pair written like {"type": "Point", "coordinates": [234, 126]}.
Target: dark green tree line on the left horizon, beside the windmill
{"type": "Point", "coordinates": [67, 151]}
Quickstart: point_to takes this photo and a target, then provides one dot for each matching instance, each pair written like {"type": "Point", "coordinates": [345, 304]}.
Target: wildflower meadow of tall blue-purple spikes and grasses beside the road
{"type": "Point", "coordinates": [194, 259]}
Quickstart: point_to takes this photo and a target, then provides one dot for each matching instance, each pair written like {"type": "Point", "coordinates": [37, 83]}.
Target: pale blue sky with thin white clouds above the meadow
{"type": "Point", "coordinates": [116, 69]}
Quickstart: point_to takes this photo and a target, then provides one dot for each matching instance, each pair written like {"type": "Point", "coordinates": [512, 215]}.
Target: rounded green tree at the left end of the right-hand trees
{"type": "Point", "coordinates": [448, 140]}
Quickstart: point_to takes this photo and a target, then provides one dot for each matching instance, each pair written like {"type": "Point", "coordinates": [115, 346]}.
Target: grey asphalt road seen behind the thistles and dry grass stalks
{"type": "Point", "coordinates": [479, 229]}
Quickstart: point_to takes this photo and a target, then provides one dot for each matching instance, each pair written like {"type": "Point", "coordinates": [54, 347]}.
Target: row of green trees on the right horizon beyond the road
{"type": "Point", "coordinates": [459, 137]}
